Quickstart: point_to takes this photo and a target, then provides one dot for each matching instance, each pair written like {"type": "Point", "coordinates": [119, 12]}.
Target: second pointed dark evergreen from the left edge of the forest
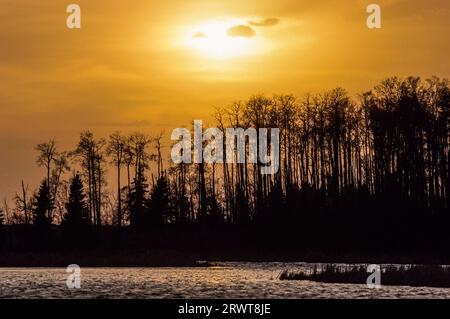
{"type": "Point", "coordinates": [77, 213]}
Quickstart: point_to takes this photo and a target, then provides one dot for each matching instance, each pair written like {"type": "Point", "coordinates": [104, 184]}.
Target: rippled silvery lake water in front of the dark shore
{"type": "Point", "coordinates": [227, 280]}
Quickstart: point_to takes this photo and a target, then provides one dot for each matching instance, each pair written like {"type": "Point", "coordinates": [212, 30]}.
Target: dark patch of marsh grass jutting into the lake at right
{"type": "Point", "coordinates": [414, 275]}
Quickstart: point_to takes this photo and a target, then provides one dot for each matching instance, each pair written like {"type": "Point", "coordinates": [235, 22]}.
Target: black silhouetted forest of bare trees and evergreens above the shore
{"type": "Point", "coordinates": [366, 175]}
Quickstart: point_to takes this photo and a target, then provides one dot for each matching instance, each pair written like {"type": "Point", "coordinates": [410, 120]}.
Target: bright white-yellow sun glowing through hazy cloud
{"type": "Point", "coordinates": [212, 41]}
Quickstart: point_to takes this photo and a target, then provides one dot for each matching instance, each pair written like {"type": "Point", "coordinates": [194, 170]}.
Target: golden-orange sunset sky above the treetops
{"type": "Point", "coordinates": [151, 65]}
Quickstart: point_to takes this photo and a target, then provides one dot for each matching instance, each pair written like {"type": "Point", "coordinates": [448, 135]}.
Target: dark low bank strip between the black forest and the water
{"type": "Point", "coordinates": [163, 259]}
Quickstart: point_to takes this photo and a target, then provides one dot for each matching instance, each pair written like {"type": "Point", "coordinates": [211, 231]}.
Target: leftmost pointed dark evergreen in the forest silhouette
{"type": "Point", "coordinates": [43, 206]}
